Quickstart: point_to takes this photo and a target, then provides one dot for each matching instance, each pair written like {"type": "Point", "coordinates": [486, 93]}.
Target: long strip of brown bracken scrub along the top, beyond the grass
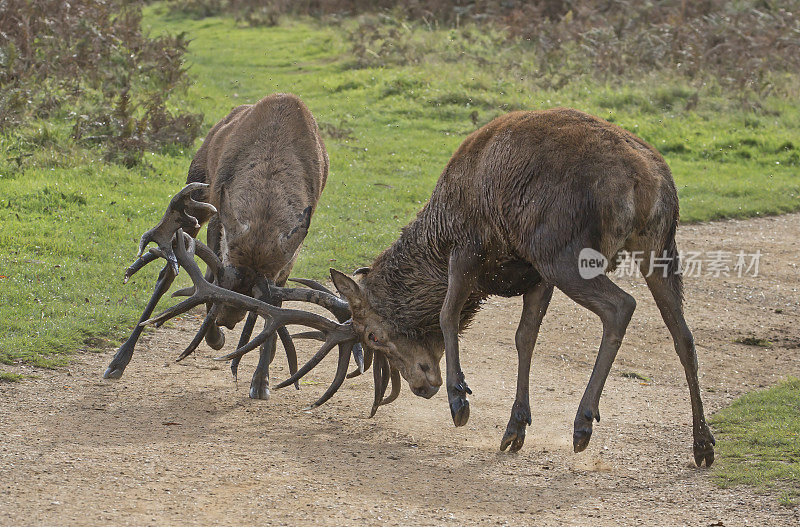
{"type": "Point", "coordinates": [739, 45]}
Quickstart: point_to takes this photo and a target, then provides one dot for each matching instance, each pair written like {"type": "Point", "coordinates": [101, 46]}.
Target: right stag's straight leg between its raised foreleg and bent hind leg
{"type": "Point", "coordinates": [535, 304]}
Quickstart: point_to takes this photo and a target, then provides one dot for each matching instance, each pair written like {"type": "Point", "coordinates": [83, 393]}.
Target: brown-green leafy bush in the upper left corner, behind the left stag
{"type": "Point", "coordinates": [88, 61]}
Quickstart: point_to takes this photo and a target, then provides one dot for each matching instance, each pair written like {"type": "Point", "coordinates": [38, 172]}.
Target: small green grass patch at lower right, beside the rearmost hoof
{"type": "Point", "coordinates": [758, 441]}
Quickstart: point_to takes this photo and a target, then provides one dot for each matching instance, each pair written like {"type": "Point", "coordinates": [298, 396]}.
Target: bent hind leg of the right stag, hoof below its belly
{"type": "Point", "coordinates": [614, 307]}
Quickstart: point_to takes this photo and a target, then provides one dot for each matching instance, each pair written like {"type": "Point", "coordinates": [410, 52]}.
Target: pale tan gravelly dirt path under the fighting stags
{"type": "Point", "coordinates": [182, 444]}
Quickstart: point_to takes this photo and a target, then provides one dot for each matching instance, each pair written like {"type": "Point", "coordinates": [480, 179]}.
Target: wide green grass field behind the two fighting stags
{"type": "Point", "coordinates": [69, 223]}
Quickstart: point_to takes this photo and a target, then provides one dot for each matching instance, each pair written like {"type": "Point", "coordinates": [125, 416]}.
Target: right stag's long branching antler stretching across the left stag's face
{"type": "Point", "coordinates": [342, 335]}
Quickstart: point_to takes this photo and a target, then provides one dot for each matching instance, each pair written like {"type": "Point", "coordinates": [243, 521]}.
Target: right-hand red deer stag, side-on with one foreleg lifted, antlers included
{"type": "Point", "coordinates": [512, 211]}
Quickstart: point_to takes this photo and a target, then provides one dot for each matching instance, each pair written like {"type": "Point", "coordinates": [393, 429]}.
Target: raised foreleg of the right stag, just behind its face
{"type": "Point", "coordinates": [460, 281]}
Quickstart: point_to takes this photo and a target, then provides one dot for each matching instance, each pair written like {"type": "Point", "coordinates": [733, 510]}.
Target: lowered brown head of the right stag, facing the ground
{"type": "Point", "coordinates": [417, 361]}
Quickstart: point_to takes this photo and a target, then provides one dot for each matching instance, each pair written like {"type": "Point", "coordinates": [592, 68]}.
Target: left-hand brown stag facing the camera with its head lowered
{"type": "Point", "coordinates": [263, 167]}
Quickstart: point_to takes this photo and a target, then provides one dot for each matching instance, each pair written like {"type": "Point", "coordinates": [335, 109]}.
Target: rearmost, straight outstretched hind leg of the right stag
{"type": "Point", "coordinates": [667, 289]}
